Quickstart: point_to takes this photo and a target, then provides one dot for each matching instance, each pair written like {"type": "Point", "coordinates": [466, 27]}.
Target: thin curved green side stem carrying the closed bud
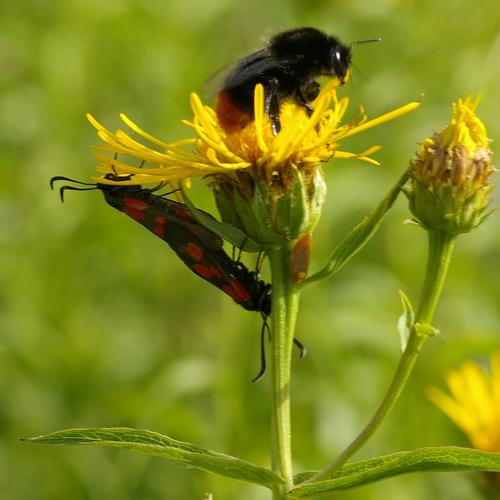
{"type": "Point", "coordinates": [439, 256]}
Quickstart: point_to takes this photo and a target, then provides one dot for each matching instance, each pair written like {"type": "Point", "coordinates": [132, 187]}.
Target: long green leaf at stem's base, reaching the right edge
{"type": "Point", "coordinates": [436, 459]}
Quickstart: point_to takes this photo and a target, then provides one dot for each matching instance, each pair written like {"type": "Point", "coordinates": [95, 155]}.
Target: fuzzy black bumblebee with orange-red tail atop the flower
{"type": "Point", "coordinates": [287, 68]}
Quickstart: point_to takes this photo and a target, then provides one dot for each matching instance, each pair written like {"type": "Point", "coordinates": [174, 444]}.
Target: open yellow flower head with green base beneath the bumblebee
{"type": "Point", "coordinates": [269, 186]}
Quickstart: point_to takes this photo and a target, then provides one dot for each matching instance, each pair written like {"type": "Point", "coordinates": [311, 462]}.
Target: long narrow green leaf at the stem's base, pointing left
{"type": "Point", "coordinates": [156, 444]}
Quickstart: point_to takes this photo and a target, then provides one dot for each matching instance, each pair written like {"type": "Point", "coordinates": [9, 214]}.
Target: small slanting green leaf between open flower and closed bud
{"type": "Point", "coordinates": [359, 236]}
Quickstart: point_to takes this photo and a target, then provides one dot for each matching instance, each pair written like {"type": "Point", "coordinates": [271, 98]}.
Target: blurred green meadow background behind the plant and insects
{"type": "Point", "coordinates": [102, 325]}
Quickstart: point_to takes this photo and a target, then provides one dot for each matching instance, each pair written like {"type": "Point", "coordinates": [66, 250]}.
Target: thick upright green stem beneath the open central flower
{"type": "Point", "coordinates": [284, 312]}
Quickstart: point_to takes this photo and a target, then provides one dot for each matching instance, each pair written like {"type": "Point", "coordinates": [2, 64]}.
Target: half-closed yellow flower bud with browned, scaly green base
{"type": "Point", "coordinates": [451, 174]}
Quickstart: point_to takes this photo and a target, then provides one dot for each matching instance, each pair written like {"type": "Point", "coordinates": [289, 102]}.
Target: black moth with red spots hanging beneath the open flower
{"type": "Point", "coordinates": [198, 247]}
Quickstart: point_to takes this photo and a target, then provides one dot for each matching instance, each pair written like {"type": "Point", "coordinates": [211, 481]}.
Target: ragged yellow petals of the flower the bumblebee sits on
{"type": "Point", "coordinates": [304, 141]}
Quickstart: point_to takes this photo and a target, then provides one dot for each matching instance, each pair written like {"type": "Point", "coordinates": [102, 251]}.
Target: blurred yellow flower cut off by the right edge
{"type": "Point", "coordinates": [474, 403]}
